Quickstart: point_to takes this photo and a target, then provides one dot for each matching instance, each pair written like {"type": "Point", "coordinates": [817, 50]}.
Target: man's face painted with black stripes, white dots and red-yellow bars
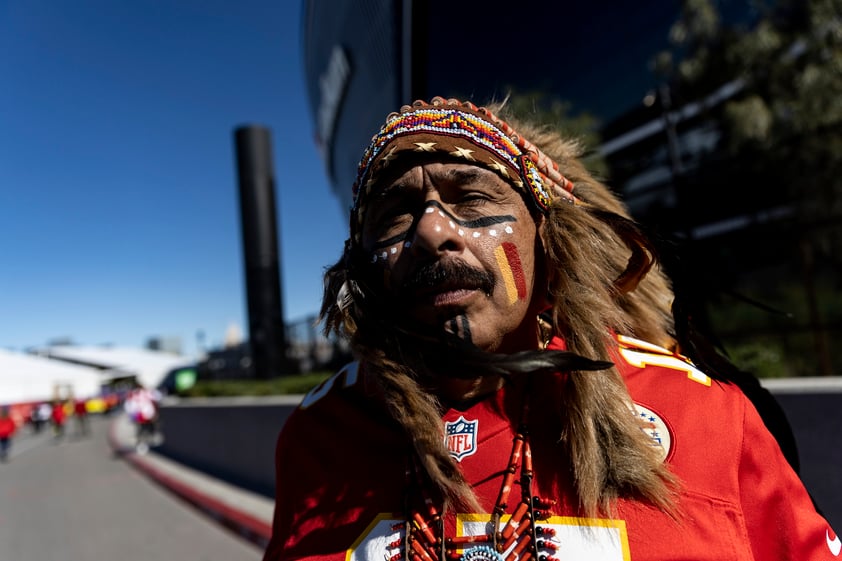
{"type": "Point", "coordinates": [451, 213]}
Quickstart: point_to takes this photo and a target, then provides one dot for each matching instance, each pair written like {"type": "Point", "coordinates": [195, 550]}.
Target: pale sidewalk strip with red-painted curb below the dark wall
{"type": "Point", "coordinates": [246, 513]}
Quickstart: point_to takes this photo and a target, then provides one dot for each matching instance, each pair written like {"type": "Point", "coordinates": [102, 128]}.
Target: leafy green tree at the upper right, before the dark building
{"type": "Point", "coordinates": [781, 126]}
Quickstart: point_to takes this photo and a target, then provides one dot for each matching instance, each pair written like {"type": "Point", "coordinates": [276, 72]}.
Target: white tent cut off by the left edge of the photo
{"type": "Point", "coordinates": [27, 378]}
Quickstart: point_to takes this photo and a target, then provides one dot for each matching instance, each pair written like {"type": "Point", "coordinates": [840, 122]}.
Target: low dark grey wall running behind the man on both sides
{"type": "Point", "coordinates": [234, 439]}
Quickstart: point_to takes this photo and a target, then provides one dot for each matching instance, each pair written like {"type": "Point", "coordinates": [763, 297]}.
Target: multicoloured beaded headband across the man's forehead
{"type": "Point", "coordinates": [464, 132]}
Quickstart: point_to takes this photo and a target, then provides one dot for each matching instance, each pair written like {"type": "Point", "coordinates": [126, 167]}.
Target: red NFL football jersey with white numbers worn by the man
{"type": "Point", "coordinates": [342, 483]}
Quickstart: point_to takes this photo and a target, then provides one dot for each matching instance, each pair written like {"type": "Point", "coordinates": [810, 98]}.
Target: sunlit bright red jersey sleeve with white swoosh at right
{"type": "Point", "coordinates": [781, 520]}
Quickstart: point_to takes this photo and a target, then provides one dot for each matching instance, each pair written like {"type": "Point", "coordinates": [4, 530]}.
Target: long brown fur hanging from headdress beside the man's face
{"type": "Point", "coordinates": [601, 277]}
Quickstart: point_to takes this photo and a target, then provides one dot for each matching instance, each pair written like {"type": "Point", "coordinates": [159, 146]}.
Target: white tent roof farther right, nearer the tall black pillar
{"type": "Point", "coordinates": [149, 367]}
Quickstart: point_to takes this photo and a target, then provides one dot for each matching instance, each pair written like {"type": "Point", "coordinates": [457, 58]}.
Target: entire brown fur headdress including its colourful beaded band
{"type": "Point", "coordinates": [597, 264]}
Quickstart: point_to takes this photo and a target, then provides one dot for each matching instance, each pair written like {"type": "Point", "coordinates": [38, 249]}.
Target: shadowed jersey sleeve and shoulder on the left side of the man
{"type": "Point", "coordinates": [318, 515]}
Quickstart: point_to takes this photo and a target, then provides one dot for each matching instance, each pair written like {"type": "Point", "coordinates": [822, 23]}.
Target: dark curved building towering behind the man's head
{"type": "Point", "coordinates": [663, 150]}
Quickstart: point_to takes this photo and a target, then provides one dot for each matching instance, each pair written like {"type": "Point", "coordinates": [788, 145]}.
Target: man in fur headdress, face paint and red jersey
{"type": "Point", "coordinates": [519, 392]}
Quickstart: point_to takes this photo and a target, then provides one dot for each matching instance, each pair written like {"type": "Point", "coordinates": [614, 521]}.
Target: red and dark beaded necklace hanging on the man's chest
{"type": "Point", "coordinates": [521, 538]}
